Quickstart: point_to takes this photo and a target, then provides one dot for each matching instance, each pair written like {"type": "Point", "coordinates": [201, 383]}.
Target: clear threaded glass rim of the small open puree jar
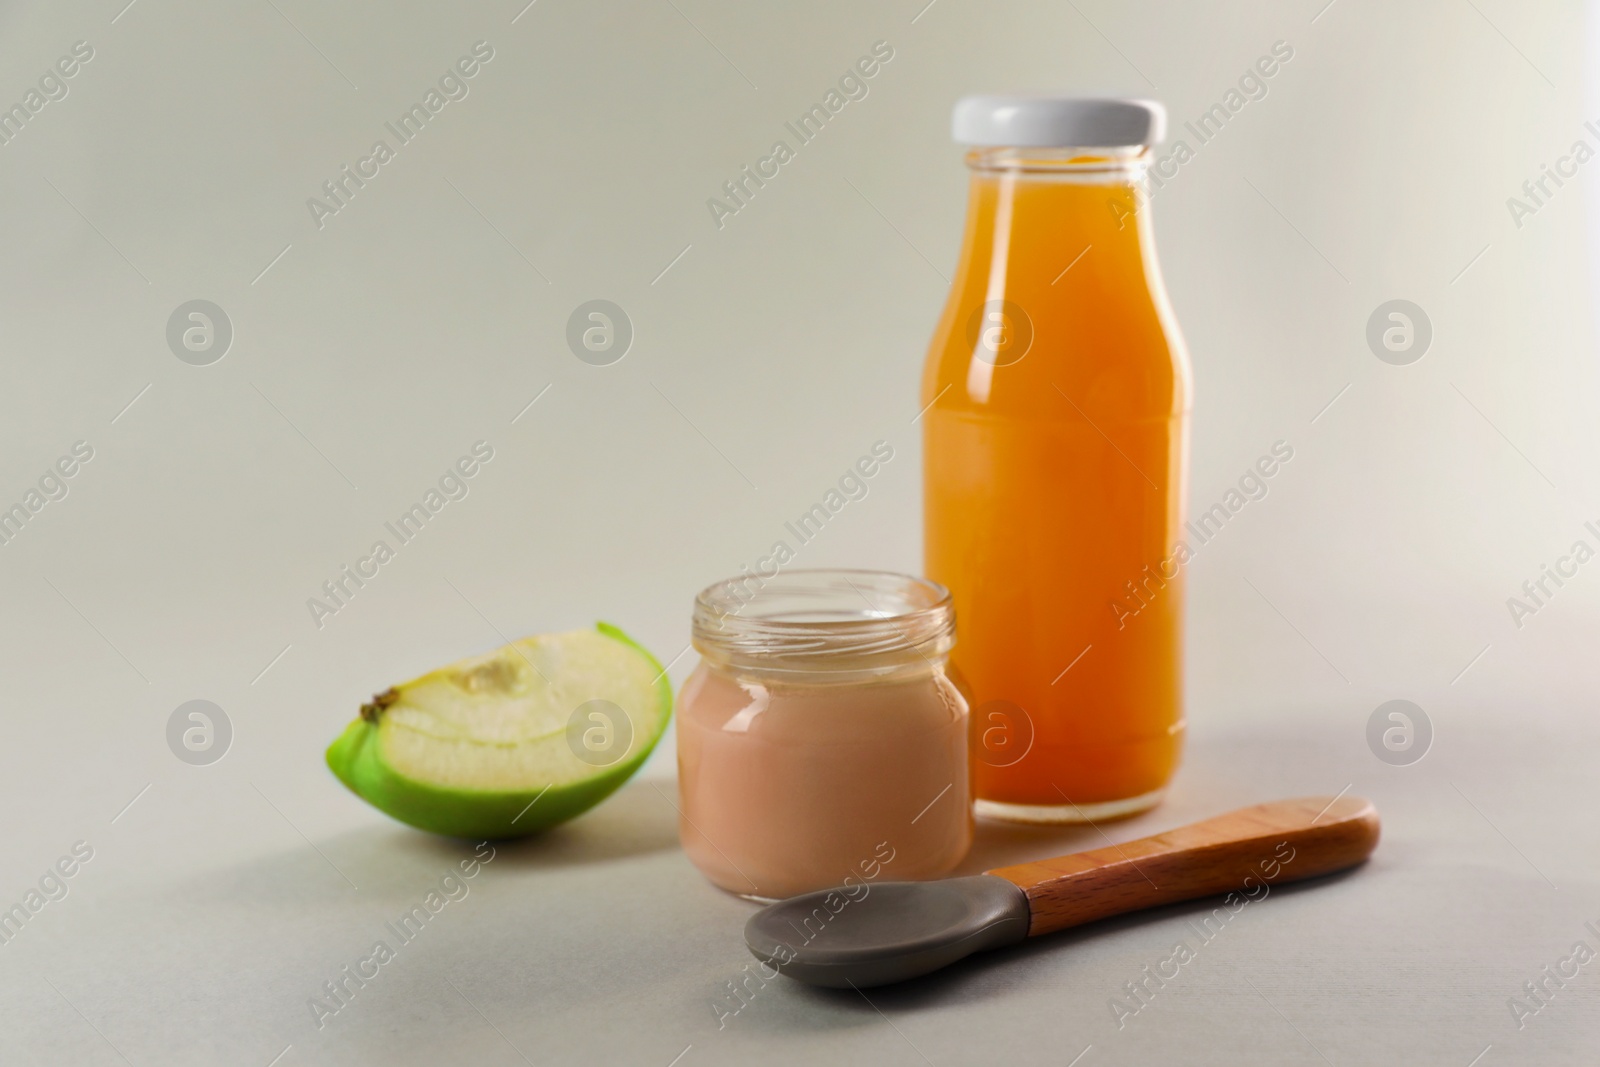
{"type": "Point", "coordinates": [834, 620]}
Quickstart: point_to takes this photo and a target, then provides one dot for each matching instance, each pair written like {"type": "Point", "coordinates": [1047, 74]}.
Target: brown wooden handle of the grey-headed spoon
{"type": "Point", "coordinates": [1242, 853]}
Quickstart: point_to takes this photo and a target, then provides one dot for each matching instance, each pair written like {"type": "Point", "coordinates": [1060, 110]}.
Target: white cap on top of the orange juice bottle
{"type": "Point", "coordinates": [1044, 122]}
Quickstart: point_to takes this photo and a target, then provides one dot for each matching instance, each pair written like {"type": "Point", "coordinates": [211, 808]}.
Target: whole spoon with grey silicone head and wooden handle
{"type": "Point", "coordinates": [902, 930]}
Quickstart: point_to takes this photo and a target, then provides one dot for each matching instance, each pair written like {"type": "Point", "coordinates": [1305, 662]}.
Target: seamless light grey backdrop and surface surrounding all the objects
{"type": "Point", "coordinates": [767, 356]}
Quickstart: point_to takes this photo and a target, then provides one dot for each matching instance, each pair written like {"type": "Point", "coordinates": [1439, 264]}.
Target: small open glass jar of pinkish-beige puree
{"type": "Point", "coordinates": [820, 741]}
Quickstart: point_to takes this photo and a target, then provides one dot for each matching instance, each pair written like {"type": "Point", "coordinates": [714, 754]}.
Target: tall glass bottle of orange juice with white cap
{"type": "Point", "coordinates": [1055, 444]}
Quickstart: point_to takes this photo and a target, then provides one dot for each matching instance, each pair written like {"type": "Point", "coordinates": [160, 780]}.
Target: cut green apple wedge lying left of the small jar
{"type": "Point", "coordinates": [511, 743]}
